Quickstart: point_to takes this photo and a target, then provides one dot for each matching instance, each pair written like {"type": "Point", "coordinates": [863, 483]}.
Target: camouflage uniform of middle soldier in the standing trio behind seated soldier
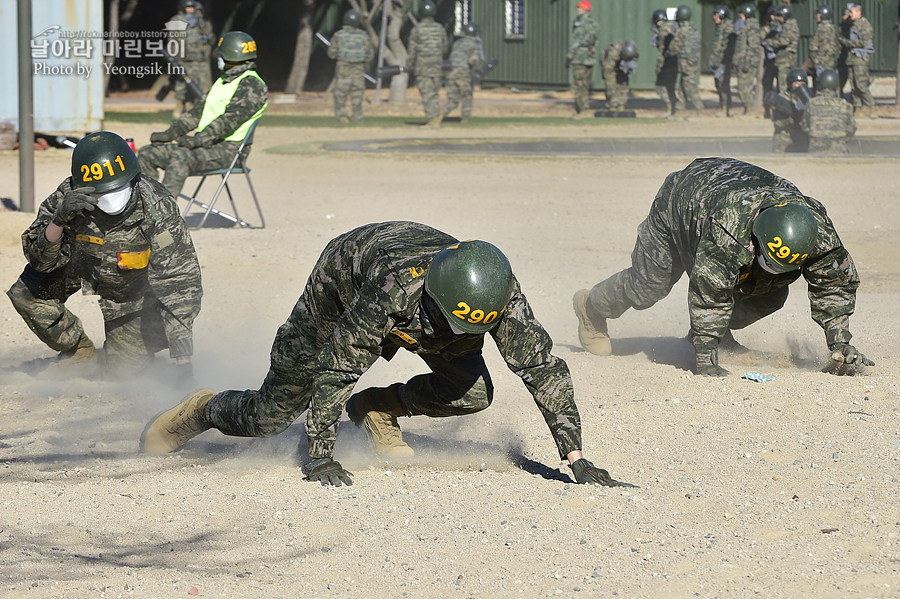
{"type": "Point", "coordinates": [428, 45]}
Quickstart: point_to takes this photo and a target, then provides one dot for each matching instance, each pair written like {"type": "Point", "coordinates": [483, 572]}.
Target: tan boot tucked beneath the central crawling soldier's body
{"type": "Point", "coordinates": [375, 410]}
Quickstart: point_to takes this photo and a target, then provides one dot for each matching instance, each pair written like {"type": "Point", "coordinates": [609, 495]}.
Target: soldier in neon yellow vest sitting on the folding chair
{"type": "Point", "coordinates": [234, 102]}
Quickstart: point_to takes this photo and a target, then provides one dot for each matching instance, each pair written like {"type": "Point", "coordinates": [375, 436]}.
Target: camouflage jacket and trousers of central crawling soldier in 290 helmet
{"type": "Point", "coordinates": [361, 302]}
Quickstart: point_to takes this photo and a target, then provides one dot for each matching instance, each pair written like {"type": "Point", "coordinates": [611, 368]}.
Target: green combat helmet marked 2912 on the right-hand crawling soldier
{"type": "Point", "coordinates": [786, 233]}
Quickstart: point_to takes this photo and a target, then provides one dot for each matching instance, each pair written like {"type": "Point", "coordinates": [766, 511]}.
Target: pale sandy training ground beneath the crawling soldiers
{"type": "Point", "coordinates": [780, 489]}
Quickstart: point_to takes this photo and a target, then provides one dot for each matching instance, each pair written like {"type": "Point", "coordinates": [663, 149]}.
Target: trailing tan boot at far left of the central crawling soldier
{"type": "Point", "coordinates": [173, 428]}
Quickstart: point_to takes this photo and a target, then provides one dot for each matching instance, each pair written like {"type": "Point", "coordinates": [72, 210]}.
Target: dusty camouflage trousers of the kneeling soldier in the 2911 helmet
{"type": "Point", "coordinates": [131, 339]}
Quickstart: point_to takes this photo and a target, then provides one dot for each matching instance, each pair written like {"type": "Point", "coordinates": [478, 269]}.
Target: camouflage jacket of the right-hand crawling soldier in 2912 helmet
{"type": "Point", "coordinates": [709, 209]}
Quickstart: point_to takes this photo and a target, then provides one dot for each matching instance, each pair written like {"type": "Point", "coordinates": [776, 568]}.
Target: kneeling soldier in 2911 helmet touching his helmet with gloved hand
{"type": "Point", "coordinates": [110, 232]}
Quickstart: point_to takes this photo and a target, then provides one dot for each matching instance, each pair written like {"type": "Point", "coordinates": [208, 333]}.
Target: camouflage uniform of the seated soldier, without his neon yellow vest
{"type": "Point", "coordinates": [250, 97]}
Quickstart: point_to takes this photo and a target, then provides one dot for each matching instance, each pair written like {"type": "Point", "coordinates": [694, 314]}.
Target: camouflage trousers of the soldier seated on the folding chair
{"type": "Point", "coordinates": [180, 163]}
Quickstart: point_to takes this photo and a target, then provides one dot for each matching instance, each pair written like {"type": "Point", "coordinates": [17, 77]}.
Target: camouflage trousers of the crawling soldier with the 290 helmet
{"type": "Point", "coordinates": [454, 387]}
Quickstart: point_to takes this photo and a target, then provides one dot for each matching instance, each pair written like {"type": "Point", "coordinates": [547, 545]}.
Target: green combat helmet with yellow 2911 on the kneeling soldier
{"type": "Point", "coordinates": [104, 161]}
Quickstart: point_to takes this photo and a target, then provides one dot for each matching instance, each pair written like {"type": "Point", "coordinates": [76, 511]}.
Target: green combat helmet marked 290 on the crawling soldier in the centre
{"type": "Point", "coordinates": [471, 282]}
